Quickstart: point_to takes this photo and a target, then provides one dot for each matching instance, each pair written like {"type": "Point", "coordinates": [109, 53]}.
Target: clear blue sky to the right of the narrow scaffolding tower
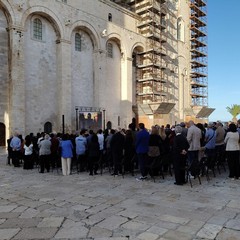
{"type": "Point", "coordinates": [223, 57]}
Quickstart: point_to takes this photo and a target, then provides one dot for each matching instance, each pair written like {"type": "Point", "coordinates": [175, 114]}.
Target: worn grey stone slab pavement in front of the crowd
{"type": "Point", "coordinates": [51, 206]}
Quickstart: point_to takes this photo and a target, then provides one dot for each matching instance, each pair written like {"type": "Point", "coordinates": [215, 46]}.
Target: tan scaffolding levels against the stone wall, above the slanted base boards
{"type": "Point", "coordinates": [151, 65]}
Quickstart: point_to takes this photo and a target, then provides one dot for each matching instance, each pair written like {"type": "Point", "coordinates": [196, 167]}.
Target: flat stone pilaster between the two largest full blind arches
{"type": "Point", "coordinates": [65, 86]}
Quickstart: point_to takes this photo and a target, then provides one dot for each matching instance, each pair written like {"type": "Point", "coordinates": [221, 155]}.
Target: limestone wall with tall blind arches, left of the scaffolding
{"type": "Point", "coordinates": [49, 78]}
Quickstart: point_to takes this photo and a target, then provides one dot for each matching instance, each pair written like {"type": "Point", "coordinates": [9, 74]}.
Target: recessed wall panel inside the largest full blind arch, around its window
{"type": "Point", "coordinates": [41, 83]}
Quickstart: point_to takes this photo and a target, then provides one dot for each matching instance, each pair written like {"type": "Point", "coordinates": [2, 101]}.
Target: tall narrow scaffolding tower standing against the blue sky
{"type": "Point", "coordinates": [199, 70]}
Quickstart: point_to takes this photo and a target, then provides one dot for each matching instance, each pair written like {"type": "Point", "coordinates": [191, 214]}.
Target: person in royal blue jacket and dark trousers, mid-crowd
{"type": "Point", "coordinates": [142, 141]}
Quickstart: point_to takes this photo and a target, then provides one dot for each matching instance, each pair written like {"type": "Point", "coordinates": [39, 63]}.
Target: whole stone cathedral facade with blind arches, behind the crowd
{"type": "Point", "coordinates": [61, 59]}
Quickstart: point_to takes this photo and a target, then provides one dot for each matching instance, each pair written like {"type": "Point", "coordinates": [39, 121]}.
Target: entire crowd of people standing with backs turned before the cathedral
{"type": "Point", "coordinates": [151, 151]}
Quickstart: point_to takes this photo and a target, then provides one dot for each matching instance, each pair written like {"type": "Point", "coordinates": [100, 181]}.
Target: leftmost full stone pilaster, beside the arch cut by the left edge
{"type": "Point", "coordinates": [17, 81]}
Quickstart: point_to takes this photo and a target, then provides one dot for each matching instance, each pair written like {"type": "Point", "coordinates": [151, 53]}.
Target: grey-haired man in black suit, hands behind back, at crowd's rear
{"type": "Point", "coordinates": [180, 147]}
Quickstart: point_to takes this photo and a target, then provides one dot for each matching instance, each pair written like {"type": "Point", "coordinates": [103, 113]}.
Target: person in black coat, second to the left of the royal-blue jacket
{"type": "Point", "coordinates": [117, 146]}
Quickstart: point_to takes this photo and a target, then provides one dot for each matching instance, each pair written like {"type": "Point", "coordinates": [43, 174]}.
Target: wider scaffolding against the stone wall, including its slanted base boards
{"type": "Point", "coordinates": [152, 66]}
